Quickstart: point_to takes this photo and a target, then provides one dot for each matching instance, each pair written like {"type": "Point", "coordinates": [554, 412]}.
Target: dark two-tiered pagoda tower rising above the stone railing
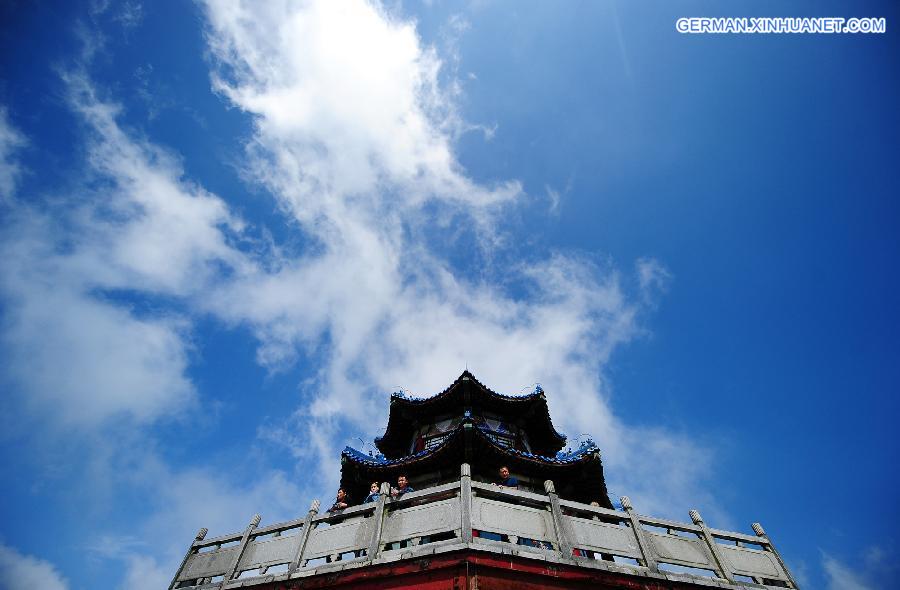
{"type": "Point", "coordinates": [428, 439]}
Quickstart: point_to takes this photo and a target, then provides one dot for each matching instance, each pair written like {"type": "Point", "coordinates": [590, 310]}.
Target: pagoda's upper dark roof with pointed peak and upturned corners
{"type": "Point", "coordinates": [407, 413]}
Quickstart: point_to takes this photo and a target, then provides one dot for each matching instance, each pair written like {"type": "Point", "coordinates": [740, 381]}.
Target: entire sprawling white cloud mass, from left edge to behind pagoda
{"type": "Point", "coordinates": [354, 137]}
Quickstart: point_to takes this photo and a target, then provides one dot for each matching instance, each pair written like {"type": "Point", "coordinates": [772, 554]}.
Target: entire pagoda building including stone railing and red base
{"type": "Point", "coordinates": [456, 529]}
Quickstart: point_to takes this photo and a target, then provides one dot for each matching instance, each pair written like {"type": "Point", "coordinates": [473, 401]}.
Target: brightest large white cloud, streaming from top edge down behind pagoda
{"type": "Point", "coordinates": [354, 137]}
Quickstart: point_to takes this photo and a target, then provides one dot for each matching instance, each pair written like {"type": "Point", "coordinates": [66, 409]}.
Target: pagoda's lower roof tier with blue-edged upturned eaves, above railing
{"type": "Point", "coordinates": [578, 474]}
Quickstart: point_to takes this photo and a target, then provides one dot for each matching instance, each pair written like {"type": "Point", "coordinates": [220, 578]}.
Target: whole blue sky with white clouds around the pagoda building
{"type": "Point", "coordinates": [230, 230]}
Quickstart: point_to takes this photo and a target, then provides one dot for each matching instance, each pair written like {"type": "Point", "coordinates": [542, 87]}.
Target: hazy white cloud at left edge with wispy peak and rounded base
{"type": "Point", "coordinates": [75, 353]}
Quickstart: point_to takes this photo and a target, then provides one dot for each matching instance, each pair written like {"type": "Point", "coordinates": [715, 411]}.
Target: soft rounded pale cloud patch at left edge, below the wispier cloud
{"type": "Point", "coordinates": [80, 361]}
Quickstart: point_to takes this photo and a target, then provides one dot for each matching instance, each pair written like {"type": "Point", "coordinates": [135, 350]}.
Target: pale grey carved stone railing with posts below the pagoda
{"type": "Point", "coordinates": [475, 516]}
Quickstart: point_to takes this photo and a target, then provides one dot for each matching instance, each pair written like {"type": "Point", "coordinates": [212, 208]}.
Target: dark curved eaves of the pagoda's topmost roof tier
{"type": "Point", "coordinates": [399, 428]}
